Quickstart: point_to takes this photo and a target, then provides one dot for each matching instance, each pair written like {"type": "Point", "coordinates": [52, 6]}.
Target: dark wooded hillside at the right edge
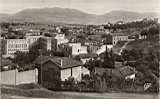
{"type": "Point", "coordinates": [144, 56]}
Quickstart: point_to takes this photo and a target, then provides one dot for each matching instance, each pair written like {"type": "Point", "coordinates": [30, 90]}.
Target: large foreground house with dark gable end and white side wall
{"type": "Point", "coordinates": [53, 70]}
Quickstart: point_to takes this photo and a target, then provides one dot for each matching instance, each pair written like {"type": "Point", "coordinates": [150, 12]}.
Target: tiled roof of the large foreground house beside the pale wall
{"type": "Point", "coordinates": [66, 62]}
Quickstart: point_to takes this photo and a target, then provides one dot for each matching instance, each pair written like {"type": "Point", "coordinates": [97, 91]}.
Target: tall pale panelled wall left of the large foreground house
{"type": "Point", "coordinates": [13, 77]}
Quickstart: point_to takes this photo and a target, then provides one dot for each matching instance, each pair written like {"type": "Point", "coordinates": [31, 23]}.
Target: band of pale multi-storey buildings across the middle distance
{"type": "Point", "coordinates": [59, 42]}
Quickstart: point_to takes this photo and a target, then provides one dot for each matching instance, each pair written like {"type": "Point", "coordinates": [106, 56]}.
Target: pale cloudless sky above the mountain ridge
{"type": "Point", "coordinates": [89, 6]}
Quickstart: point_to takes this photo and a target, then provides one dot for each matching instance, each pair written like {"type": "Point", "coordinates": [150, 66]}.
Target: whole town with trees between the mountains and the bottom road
{"type": "Point", "coordinates": [120, 56]}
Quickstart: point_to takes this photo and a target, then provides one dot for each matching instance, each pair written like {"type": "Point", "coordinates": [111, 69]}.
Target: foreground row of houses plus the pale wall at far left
{"type": "Point", "coordinates": [49, 71]}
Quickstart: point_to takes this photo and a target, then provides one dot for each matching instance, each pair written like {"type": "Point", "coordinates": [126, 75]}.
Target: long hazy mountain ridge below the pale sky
{"type": "Point", "coordinates": [71, 16]}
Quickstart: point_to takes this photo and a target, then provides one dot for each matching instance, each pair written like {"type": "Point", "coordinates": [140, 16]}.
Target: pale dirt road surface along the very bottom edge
{"type": "Point", "coordinates": [75, 95]}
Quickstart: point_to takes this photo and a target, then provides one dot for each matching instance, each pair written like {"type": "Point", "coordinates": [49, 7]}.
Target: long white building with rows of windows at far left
{"type": "Point", "coordinates": [10, 46]}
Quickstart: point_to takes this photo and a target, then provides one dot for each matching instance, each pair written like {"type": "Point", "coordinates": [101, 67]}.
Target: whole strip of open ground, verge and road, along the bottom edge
{"type": "Point", "coordinates": [16, 93]}
